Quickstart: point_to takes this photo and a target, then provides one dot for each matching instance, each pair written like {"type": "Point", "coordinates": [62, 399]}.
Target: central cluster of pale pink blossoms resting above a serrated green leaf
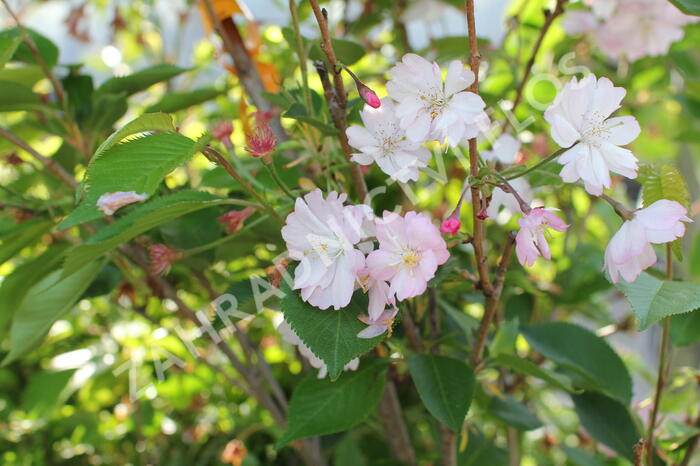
{"type": "Point", "coordinates": [328, 239]}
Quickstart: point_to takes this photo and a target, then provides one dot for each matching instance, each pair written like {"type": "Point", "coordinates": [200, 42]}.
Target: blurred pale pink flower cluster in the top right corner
{"type": "Point", "coordinates": [630, 29]}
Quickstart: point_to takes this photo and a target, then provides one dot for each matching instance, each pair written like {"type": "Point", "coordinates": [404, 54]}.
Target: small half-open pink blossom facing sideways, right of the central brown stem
{"type": "Point", "coordinates": [531, 242]}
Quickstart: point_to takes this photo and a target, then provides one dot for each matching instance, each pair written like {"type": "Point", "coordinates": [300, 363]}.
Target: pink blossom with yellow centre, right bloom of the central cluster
{"type": "Point", "coordinates": [410, 251]}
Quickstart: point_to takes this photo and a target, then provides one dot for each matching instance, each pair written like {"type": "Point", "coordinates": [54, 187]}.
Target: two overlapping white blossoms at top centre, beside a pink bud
{"type": "Point", "coordinates": [422, 107]}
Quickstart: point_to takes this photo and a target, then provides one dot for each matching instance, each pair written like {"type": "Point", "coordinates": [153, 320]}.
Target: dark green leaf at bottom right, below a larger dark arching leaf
{"type": "Point", "coordinates": [608, 421]}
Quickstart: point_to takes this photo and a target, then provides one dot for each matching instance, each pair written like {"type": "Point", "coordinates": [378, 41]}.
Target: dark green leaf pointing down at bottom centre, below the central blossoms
{"type": "Point", "coordinates": [446, 386]}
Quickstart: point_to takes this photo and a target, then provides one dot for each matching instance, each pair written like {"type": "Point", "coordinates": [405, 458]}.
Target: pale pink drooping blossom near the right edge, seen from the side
{"type": "Point", "coordinates": [630, 252]}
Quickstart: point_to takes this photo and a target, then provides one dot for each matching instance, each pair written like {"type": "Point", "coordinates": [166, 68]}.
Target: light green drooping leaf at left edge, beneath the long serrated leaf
{"type": "Point", "coordinates": [45, 303]}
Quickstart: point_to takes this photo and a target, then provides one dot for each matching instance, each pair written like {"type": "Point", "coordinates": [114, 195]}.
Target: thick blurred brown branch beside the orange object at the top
{"type": "Point", "coordinates": [245, 66]}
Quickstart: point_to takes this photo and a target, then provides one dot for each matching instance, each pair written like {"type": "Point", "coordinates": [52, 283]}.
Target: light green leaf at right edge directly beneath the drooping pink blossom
{"type": "Point", "coordinates": [653, 299]}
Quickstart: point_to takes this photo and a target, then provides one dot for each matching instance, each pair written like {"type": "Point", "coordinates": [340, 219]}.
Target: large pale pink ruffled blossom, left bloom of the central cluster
{"type": "Point", "coordinates": [322, 234]}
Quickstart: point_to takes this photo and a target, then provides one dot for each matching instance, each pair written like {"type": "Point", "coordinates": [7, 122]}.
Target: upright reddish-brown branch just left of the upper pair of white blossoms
{"type": "Point", "coordinates": [336, 99]}
